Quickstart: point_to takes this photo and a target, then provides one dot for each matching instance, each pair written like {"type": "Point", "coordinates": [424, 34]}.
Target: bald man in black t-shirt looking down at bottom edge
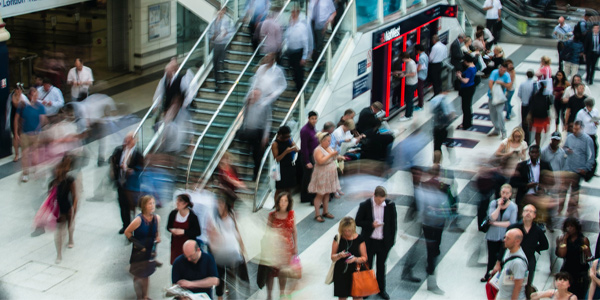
{"type": "Point", "coordinates": [195, 270]}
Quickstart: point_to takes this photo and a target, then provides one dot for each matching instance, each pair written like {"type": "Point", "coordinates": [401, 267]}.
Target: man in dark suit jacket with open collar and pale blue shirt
{"type": "Point", "coordinates": [527, 175]}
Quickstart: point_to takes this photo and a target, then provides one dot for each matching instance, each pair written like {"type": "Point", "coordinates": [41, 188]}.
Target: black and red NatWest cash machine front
{"type": "Point", "coordinates": [391, 41]}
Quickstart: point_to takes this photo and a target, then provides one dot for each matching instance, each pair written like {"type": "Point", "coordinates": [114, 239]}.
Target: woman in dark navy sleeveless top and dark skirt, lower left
{"type": "Point", "coordinates": [144, 234]}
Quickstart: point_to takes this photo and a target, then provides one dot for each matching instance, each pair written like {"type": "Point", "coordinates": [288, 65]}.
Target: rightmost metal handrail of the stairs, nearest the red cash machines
{"type": "Point", "coordinates": [298, 97]}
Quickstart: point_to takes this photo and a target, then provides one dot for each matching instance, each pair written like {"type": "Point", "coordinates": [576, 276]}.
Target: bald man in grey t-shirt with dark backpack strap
{"type": "Point", "coordinates": [514, 273]}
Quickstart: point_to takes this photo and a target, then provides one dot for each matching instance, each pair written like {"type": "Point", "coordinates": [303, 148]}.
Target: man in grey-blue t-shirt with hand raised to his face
{"type": "Point", "coordinates": [501, 214]}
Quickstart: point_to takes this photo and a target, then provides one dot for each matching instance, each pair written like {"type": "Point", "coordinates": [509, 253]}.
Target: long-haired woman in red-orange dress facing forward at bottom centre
{"type": "Point", "coordinates": [283, 221]}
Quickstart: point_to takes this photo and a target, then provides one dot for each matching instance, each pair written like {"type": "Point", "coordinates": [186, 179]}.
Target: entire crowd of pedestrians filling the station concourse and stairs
{"type": "Point", "coordinates": [207, 248]}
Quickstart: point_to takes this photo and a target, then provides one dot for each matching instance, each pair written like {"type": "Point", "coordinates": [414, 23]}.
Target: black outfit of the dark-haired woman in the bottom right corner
{"type": "Point", "coordinates": [577, 267]}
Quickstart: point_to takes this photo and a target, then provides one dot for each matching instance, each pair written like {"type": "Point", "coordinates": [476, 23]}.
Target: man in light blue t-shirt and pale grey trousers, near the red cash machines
{"type": "Point", "coordinates": [501, 77]}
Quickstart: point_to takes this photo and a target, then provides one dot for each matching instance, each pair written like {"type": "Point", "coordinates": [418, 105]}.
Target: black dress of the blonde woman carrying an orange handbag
{"type": "Point", "coordinates": [342, 272]}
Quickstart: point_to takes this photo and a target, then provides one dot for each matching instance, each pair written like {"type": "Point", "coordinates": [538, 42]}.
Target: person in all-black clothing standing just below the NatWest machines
{"type": "Point", "coordinates": [375, 146]}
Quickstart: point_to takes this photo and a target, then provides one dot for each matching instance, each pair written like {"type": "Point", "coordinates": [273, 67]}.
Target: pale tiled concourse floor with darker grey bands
{"type": "Point", "coordinates": [97, 267]}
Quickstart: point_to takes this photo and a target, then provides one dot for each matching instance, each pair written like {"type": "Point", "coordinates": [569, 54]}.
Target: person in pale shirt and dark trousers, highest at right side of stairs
{"type": "Point", "coordinates": [321, 13]}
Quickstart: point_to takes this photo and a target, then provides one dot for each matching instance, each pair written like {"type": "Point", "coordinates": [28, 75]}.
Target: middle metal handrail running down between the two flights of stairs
{"type": "Point", "coordinates": [237, 80]}
